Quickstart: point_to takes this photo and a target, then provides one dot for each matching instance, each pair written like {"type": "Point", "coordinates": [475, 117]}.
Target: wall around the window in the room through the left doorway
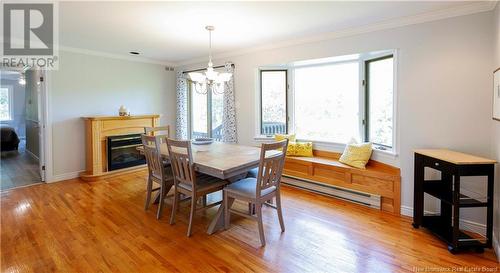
{"type": "Point", "coordinates": [18, 122]}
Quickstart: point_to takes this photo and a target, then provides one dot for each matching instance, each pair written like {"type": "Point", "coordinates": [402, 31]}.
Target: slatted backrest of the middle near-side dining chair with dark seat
{"type": "Point", "coordinates": [181, 160]}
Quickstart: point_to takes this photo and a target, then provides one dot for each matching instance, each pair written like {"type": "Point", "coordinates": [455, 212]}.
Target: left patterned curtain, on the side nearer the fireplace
{"type": "Point", "coordinates": [182, 107]}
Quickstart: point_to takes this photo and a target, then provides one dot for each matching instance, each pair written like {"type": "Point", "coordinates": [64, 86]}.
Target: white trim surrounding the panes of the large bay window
{"type": "Point", "coordinates": [390, 155]}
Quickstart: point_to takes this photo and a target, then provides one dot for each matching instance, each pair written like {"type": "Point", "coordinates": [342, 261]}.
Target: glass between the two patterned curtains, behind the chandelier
{"type": "Point", "coordinates": [206, 112]}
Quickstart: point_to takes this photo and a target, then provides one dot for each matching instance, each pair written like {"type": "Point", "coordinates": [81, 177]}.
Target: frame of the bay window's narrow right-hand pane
{"type": "Point", "coordinates": [366, 83]}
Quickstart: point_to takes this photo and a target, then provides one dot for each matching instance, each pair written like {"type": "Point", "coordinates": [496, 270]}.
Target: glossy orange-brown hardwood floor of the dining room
{"type": "Point", "coordinates": [77, 226]}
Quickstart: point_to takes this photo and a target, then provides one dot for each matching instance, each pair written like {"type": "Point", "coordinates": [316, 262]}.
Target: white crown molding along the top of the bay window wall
{"type": "Point", "coordinates": [468, 9]}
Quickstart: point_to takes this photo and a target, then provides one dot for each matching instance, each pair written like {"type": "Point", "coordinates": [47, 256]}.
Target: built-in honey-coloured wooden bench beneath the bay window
{"type": "Point", "coordinates": [378, 178]}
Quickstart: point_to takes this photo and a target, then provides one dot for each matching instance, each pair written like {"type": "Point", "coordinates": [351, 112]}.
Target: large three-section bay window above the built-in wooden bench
{"type": "Point", "coordinates": [332, 100]}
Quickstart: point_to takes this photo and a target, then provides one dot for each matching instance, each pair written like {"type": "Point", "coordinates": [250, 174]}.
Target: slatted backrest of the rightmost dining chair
{"type": "Point", "coordinates": [271, 166]}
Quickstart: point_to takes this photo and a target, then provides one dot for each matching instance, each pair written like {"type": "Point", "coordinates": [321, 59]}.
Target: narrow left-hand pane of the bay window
{"type": "Point", "coordinates": [273, 102]}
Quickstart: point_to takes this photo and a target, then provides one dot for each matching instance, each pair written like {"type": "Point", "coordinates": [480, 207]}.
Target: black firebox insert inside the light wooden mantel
{"type": "Point", "coordinates": [122, 151]}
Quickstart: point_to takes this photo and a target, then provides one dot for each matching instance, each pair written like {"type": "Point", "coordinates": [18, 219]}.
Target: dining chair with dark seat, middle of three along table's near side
{"type": "Point", "coordinates": [188, 182]}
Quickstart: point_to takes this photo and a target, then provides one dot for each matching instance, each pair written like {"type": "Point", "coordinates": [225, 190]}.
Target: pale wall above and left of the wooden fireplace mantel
{"type": "Point", "coordinates": [87, 85]}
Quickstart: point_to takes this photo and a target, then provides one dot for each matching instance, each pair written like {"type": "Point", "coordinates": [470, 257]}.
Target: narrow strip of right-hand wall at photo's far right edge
{"type": "Point", "coordinates": [496, 133]}
